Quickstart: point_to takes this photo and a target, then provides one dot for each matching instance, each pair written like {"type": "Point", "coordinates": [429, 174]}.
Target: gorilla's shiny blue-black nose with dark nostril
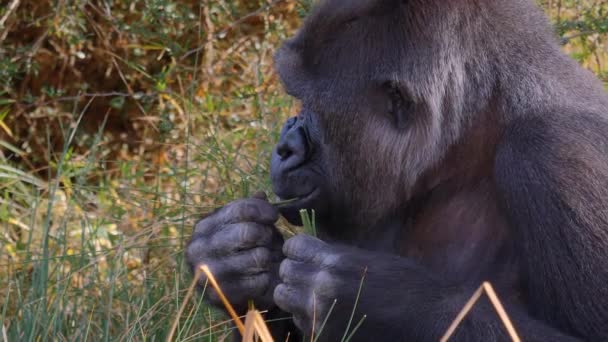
{"type": "Point", "coordinates": [292, 147]}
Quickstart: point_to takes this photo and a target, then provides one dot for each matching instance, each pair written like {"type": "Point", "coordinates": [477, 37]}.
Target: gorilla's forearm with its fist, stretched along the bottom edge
{"type": "Point", "coordinates": [400, 299]}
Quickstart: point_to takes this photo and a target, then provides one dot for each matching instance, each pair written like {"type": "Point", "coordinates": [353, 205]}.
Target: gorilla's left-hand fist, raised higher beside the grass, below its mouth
{"type": "Point", "coordinates": [242, 248]}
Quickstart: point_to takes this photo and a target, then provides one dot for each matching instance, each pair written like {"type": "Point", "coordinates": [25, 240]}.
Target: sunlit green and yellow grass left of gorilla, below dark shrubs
{"type": "Point", "coordinates": [100, 257]}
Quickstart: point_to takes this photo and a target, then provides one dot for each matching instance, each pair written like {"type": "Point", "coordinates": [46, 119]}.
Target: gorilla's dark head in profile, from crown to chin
{"type": "Point", "coordinates": [384, 98]}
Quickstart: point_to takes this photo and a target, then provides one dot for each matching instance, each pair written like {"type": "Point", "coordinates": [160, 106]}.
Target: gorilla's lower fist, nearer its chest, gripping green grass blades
{"type": "Point", "coordinates": [314, 275]}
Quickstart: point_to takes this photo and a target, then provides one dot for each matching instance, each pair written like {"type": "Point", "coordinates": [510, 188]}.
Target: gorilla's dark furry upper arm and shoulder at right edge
{"type": "Point", "coordinates": [552, 174]}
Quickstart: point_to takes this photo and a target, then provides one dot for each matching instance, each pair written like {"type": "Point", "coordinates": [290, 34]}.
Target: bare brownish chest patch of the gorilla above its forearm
{"type": "Point", "coordinates": [463, 235]}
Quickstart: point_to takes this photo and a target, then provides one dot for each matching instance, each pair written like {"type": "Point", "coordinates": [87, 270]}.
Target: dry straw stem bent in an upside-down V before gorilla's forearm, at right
{"type": "Point", "coordinates": [500, 310]}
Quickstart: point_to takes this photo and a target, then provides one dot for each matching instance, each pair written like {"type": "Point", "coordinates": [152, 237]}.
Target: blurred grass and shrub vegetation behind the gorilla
{"type": "Point", "coordinates": [121, 123]}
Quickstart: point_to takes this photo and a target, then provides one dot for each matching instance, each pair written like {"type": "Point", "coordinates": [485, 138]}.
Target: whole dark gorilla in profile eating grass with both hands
{"type": "Point", "coordinates": [441, 144]}
